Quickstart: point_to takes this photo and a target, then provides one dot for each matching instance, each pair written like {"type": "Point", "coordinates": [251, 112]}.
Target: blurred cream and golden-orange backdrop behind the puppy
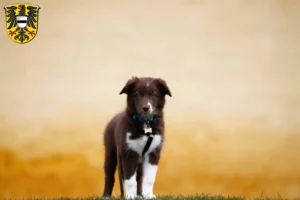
{"type": "Point", "coordinates": [232, 125]}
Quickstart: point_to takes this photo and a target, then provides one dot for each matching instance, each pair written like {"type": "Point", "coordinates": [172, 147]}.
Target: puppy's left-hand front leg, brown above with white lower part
{"type": "Point", "coordinates": [129, 164]}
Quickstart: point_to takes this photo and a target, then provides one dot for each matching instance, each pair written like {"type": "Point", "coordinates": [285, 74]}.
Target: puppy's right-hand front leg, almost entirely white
{"type": "Point", "coordinates": [150, 166]}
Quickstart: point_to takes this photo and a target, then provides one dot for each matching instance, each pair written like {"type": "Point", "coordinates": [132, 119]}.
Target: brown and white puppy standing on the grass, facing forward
{"type": "Point", "coordinates": [124, 137]}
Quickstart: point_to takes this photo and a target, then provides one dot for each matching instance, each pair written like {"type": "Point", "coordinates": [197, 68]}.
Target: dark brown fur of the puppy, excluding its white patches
{"type": "Point", "coordinates": [139, 91]}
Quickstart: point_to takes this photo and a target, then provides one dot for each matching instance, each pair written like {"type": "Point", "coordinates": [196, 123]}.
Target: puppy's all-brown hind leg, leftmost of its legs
{"type": "Point", "coordinates": [110, 169]}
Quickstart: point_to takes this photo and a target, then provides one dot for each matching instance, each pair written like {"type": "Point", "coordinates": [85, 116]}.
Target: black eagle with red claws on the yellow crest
{"type": "Point", "coordinates": [12, 21]}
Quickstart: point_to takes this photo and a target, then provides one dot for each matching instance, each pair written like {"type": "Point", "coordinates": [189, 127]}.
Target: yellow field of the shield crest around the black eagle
{"type": "Point", "coordinates": [28, 28]}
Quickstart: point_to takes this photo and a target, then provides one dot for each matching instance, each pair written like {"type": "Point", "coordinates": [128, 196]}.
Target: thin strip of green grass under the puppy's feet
{"type": "Point", "coordinates": [197, 197]}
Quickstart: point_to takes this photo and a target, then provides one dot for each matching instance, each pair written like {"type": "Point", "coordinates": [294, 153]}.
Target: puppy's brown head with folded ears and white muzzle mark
{"type": "Point", "coordinates": [146, 96]}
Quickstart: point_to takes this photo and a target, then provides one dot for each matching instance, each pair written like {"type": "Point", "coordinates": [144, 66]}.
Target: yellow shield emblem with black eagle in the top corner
{"type": "Point", "coordinates": [22, 22]}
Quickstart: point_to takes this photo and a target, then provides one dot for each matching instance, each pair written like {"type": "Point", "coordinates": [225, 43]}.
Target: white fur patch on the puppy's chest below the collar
{"type": "Point", "coordinates": [138, 144]}
